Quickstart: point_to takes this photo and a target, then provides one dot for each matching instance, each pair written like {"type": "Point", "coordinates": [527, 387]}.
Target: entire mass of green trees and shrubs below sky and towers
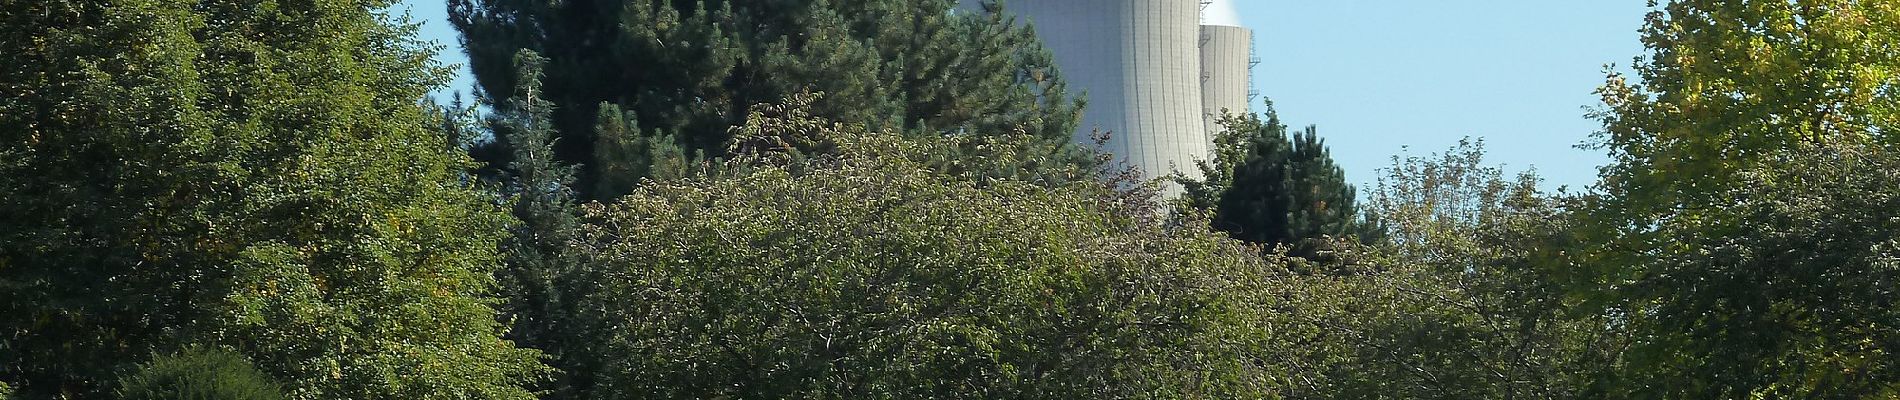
{"type": "Point", "coordinates": [883, 200]}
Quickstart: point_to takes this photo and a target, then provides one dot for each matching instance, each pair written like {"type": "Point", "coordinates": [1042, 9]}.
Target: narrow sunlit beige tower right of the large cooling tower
{"type": "Point", "coordinates": [1226, 64]}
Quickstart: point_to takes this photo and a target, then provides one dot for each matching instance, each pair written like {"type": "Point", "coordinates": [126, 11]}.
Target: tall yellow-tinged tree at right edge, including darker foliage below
{"type": "Point", "coordinates": [1739, 230]}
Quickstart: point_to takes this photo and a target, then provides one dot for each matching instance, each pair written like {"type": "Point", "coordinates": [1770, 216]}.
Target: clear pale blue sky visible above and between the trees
{"type": "Point", "coordinates": [1392, 77]}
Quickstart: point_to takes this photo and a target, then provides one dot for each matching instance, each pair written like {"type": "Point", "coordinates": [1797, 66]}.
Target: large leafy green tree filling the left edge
{"type": "Point", "coordinates": [248, 175]}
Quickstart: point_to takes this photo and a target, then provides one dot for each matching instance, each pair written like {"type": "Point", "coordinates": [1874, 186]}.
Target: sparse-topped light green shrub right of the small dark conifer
{"type": "Point", "coordinates": [1460, 302]}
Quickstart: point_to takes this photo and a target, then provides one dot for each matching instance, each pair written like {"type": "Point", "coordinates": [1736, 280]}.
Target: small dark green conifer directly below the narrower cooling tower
{"type": "Point", "coordinates": [1266, 187]}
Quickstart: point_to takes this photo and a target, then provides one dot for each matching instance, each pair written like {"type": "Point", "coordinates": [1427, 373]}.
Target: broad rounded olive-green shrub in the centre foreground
{"type": "Point", "coordinates": [864, 272]}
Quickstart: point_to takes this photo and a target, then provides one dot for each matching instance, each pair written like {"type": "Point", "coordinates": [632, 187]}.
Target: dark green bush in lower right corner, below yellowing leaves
{"type": "Point", "coordinates": [1785, 293]}
